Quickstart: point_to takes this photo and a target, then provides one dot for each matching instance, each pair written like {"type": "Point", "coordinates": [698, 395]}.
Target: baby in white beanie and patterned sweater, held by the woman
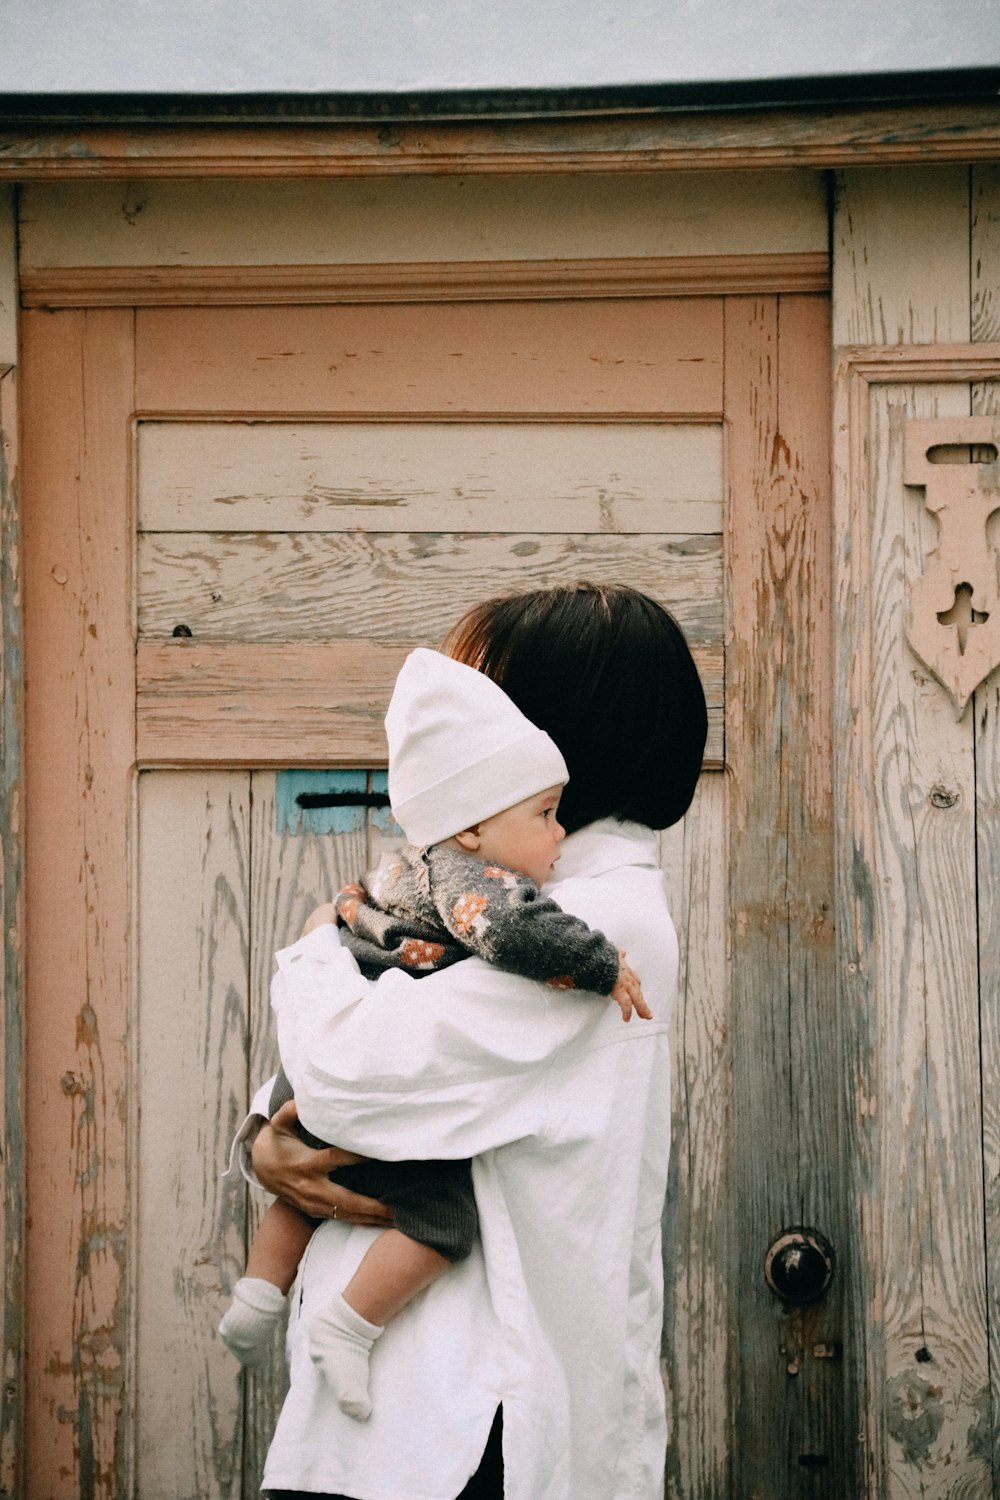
{"type": "Point", "coordinates": [476, 790]}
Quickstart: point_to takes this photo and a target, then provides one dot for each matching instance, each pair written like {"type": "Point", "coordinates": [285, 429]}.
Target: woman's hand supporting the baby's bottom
{"type": "Point", "coordinates": [298, 1174]}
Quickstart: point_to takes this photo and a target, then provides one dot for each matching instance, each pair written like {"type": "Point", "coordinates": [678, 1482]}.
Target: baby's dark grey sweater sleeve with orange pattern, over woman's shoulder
{"type": "Point", "coordinates": [500, 917]}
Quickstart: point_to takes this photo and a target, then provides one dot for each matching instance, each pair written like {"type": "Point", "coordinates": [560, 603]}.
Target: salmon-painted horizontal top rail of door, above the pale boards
{"type": "Point", "coordinates": [491, 358]}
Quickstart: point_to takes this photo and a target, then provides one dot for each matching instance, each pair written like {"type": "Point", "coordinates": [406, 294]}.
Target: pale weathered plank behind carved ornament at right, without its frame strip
{"type": "Point", "coordinates": [924, 953]}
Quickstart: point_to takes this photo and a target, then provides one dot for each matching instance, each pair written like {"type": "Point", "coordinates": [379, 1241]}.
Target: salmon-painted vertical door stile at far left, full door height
{"type": "Point", "coordinates": [80, 736]}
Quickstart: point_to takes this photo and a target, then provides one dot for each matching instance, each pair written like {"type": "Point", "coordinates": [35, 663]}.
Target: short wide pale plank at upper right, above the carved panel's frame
{"type": "Point", "coordinates": [902, 256]}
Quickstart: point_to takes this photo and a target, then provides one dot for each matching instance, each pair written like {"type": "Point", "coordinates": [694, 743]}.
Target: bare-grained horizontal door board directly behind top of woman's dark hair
{"type": "Point", "coordinates": [400, 586]}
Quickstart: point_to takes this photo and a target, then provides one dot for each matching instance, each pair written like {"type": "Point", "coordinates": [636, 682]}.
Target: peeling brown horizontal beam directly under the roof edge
{"type": "Point", "coordinates": [753, 139]}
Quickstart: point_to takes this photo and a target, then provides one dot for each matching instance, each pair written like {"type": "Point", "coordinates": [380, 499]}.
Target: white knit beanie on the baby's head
{"type": "Point", "coordinates": [460, 751]}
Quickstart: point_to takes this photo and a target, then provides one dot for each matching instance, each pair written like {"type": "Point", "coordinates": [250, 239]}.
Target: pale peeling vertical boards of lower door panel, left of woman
{"type": "Point", "coordinates": [224, 881]}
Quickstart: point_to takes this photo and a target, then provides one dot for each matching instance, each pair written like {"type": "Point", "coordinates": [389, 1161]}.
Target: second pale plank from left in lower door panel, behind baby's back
{"type": "Point", "coordinates": [293, 871]}
